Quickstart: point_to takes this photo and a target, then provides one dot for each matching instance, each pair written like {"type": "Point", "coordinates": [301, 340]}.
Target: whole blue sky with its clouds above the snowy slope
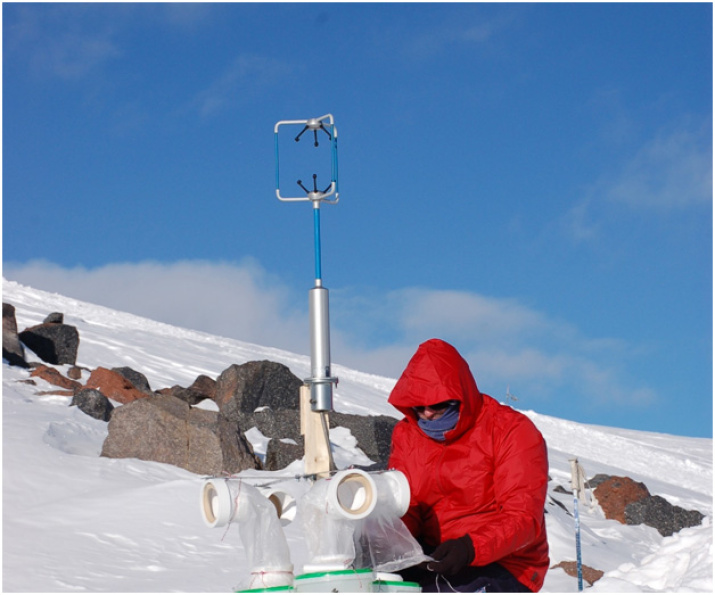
{"type": "Point", "coordinates": [531, 182]}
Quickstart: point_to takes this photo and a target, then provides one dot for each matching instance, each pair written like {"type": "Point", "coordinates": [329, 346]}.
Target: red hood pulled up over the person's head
{"type": "Point", "coordinates": [437, 373]}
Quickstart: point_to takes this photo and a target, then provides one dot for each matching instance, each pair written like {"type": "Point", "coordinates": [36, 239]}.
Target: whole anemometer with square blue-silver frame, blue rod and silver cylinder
{"type": "Point", "coordinates": [321, 381]}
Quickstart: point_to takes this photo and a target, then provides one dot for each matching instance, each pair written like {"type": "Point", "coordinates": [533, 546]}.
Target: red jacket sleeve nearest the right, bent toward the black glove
{"type": "Point", "coordinates": [520, 484]}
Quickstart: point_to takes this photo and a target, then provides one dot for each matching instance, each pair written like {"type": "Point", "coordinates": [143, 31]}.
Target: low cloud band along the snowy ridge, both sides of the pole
{"type": "Point", "coordinates": [506, 342]}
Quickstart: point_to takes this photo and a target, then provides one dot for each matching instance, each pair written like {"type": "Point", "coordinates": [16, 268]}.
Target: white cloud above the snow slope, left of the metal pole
{"type": "Point", "coordinates": [227, 299]}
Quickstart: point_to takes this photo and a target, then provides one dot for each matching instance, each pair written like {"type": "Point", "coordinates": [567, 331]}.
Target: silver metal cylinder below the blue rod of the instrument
{"type": "Point", "coordinates": [321, 382]}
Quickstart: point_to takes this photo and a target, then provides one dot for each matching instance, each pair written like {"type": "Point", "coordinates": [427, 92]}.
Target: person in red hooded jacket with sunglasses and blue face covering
{"type": "Point", "coordinates": [478, 474]}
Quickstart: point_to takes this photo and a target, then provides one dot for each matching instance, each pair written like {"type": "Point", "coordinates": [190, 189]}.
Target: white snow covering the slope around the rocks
{"type": "Point", "coordinates": [75, 521]}
